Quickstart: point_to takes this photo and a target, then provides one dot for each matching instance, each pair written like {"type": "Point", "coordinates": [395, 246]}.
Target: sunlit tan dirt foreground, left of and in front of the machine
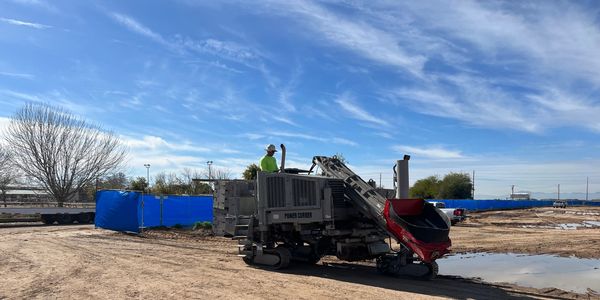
{"type": "Point", "coordinates": [97, 264]}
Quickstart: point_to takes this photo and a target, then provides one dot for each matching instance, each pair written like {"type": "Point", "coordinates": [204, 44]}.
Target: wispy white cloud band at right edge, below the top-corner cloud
{"type": "Point", "coordinates": [477, 102]}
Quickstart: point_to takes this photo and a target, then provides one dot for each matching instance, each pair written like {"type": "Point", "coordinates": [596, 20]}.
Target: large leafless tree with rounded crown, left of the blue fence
{"type": "Point", "coordinates": [61, 151]}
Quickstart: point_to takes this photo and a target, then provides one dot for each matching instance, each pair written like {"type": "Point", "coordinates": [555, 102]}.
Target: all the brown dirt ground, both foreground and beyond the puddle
{"type": "Point", "coordinates": [79, 261]}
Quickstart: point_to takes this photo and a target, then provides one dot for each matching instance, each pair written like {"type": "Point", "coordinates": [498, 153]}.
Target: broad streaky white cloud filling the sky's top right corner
{"type": "Point", "coordinates": [559, 37]}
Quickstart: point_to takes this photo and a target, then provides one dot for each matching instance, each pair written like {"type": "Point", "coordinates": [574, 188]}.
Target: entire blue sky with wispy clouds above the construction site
{"type": "Point", "coordinates": [508, 89]}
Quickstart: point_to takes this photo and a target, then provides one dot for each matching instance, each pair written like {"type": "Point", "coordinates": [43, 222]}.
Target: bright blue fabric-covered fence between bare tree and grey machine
{"type": "Point", "coordinates": [130, 211]}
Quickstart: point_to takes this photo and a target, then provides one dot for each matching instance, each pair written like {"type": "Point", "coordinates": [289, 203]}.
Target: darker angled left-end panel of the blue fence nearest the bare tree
{"type": "Point", "coordinates": [117, 210]}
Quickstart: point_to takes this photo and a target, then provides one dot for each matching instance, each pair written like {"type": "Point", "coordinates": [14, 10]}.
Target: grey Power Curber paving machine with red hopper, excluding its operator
{"type": "Point", "coordinates": [303, 217]}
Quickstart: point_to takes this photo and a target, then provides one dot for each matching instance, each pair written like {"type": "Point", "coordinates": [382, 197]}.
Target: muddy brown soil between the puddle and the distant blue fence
{"type": "Point", "coordinates": [532, 231]}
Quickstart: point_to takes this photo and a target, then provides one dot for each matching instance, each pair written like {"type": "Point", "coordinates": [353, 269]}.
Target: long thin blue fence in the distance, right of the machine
{"type": "Point", "coordinates": [480, 205]}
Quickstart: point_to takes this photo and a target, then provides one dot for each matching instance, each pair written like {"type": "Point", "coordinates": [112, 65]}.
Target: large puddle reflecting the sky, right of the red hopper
{"type": "Point", "coordinates": [537, 271]}
